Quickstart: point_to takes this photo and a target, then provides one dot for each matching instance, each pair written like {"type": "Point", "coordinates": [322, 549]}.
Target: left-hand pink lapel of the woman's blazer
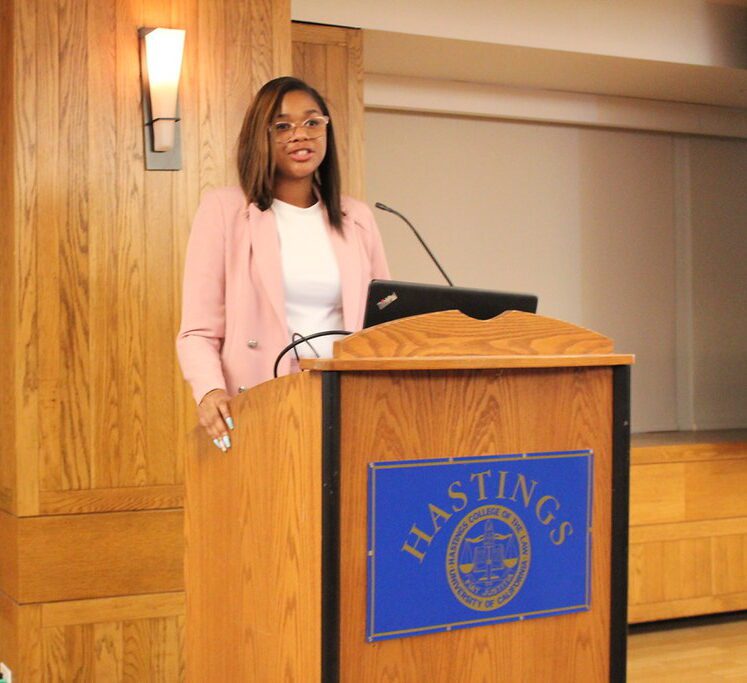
{"type": "Point", "coordinates": [266, 248]}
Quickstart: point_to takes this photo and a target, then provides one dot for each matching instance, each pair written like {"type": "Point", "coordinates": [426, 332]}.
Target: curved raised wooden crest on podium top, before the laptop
{"type": "Point", "coordinates": [451, 333]}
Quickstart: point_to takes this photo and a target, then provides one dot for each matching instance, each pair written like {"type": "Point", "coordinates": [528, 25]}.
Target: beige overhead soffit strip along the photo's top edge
{"type": "Point", "coordinates": [683, 31]}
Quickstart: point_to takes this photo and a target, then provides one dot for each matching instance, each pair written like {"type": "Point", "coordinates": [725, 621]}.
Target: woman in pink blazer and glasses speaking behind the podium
{"type": "Point", "coordinates": [282, 254]}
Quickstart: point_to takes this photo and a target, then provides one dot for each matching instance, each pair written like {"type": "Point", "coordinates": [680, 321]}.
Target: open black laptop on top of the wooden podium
{"type": "Point", "coordinates": [390, 300]}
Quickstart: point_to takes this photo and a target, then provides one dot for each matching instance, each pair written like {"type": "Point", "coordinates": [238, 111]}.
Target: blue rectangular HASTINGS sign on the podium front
{"type": "Point", "coordinates": [461, 542]}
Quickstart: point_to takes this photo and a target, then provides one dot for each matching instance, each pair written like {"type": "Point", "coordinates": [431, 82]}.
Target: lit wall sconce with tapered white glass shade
{"type": "Point", "coordinates": [161, 51]}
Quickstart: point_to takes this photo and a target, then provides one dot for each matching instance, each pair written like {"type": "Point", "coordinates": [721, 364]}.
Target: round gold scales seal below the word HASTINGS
{"type": "Point", "coordinates": [488, 557]}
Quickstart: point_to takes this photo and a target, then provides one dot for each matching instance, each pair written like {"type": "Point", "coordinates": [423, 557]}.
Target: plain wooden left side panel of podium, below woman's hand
{"type": "Point", "coordinates": [253, 527]}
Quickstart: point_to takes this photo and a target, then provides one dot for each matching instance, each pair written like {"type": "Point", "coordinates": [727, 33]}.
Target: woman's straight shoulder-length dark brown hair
{"type": "Point", "coordinates": [256, 157]}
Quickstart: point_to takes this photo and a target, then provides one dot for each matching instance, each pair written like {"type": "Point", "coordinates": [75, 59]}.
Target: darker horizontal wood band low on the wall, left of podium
{"type": "Point", "coordinates": [81, 556]}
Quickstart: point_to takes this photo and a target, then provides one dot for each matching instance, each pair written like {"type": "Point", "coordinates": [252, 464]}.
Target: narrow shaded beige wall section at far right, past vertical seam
{"type": "Point", "coordinates": [719, 293]}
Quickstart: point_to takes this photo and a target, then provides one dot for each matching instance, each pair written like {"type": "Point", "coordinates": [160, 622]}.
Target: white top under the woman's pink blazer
{"type": "Point", "coordinates": [311, 277]}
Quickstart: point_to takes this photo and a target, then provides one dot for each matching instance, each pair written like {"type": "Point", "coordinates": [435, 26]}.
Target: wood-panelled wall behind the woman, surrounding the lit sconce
{"type": "Point", "coordinates": [94, 412]}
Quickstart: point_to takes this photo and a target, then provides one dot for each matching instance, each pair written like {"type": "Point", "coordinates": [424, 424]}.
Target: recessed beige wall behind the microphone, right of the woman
{"type": "Point", "coordinates": [585, 218]}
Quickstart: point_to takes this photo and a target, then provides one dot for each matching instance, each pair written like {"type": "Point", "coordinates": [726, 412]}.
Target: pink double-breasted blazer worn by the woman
{"type": "Point", "coordinates": [233, 310]}
